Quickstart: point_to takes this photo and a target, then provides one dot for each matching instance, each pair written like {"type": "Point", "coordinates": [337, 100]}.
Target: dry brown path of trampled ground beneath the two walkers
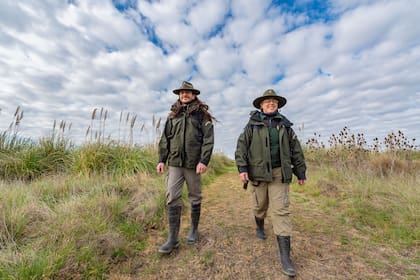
{"type": "Point", "coordinates": [228, 248]}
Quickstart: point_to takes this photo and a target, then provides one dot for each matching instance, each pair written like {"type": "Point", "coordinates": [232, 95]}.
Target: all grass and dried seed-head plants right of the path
{"type": "Point", "coordinates": [374, 188]}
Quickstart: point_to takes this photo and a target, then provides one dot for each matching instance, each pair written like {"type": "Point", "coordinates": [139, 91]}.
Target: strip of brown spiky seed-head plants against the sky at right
{"type": "Point", "coordinates": [350, 151]}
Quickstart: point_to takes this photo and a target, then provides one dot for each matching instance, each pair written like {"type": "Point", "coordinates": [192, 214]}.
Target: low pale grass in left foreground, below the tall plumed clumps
{"type": "Point", "coordinates": [66, 227]}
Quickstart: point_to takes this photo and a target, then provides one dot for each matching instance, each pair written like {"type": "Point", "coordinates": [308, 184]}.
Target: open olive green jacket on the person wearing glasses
{"type": "Point", "coordinates": [252, 153]}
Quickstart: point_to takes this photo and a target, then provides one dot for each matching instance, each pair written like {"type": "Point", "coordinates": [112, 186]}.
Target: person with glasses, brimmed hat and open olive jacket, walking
{"type": "Point", "coordinates": [268, 153]}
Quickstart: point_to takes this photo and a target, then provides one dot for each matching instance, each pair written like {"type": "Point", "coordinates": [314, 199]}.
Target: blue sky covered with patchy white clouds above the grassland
{"type": "Point", "coordinates": [340, 63]}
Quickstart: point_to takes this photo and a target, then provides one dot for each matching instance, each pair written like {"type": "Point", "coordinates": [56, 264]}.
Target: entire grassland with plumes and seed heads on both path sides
{"type": "Point", "coordinates": [86, 212]}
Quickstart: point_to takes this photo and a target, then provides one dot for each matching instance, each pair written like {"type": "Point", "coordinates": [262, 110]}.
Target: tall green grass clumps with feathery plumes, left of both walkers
{"type": "Point", "coordinates": [25, 159]}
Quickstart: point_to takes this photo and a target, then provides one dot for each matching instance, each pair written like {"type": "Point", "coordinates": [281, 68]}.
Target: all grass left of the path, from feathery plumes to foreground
{"type": "Point", "coordinates": [71, 211]}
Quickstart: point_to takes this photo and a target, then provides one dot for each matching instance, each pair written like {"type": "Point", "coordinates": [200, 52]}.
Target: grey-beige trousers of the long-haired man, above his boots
{"type": "Point", "coordinates": [175, 181]}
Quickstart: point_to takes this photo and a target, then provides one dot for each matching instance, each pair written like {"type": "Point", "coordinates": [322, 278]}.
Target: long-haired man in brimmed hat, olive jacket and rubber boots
{"type": "Point", "coordinates": [186, 145]}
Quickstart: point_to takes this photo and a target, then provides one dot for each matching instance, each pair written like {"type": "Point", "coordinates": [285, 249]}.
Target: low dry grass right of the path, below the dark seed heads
{"type": "Point", "coordinates": [385, 209]}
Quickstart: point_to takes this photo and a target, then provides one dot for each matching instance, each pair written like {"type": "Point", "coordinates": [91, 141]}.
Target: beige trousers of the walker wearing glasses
{"type": "Point", "coordinates": [276, 195]}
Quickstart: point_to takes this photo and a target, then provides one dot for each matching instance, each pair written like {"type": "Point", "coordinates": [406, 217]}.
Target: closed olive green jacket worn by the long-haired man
{"type": "Point", "coordinates": [187, 139]}
